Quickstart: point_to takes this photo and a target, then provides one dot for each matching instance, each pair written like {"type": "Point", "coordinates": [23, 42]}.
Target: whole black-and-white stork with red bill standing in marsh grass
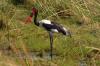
{"type": "Point", "coordinates": [49, 26]}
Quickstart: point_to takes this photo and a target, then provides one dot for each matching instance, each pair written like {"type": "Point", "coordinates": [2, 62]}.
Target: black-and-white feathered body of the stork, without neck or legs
{"type": "Point", "coordinates": [53, 27]}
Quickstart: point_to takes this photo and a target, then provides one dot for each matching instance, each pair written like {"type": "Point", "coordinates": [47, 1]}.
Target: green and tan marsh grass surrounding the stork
{"type": "Point", "coordinates": [81, 16]}
